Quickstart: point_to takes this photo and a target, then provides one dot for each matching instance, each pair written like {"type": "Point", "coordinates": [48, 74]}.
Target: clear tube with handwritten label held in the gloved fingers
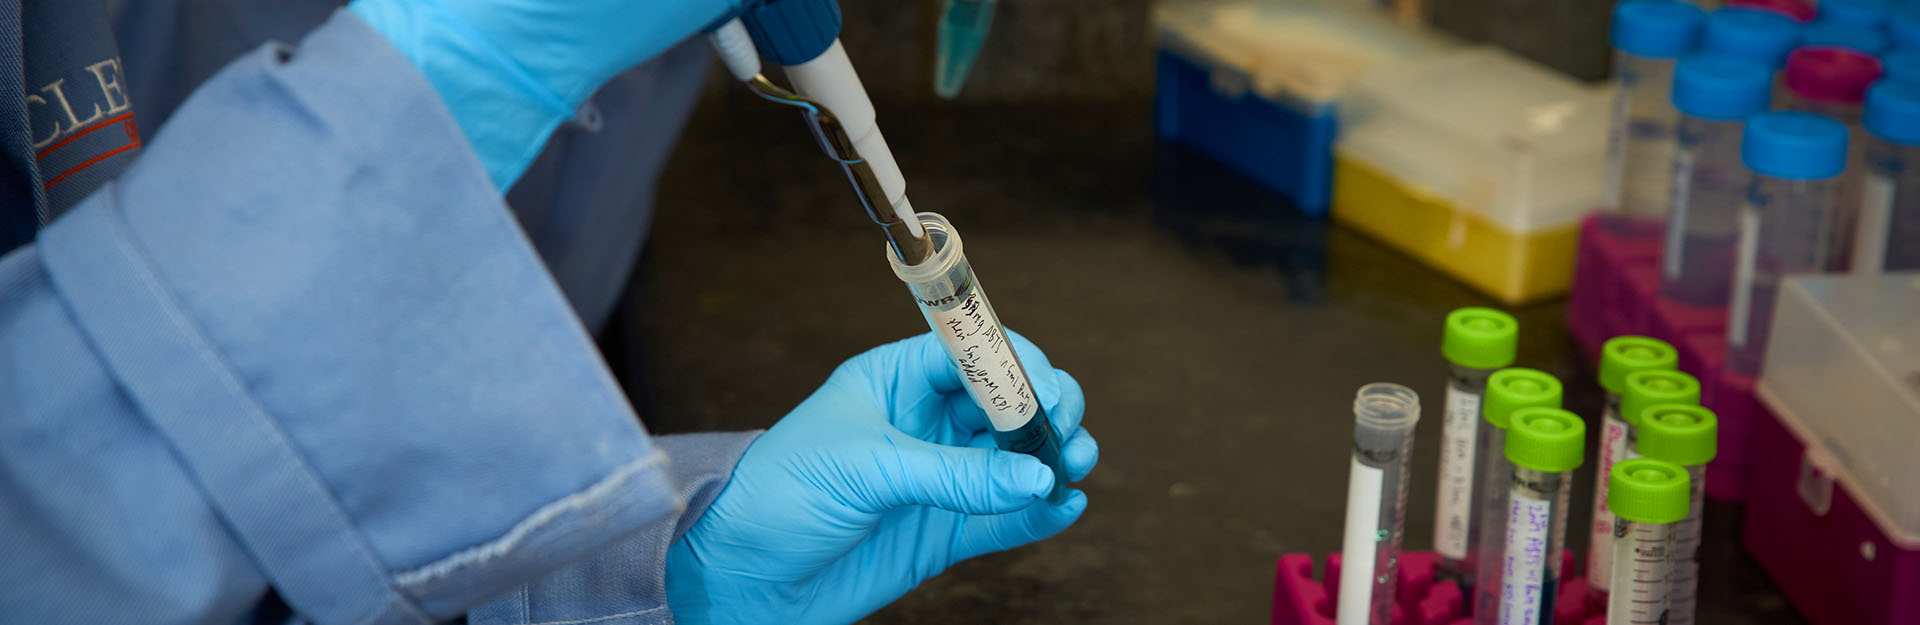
{"type": "Point", "coordinates": [963, 319]}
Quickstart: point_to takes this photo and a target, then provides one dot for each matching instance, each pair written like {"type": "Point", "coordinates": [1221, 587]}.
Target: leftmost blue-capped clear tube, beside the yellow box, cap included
{"type": "Point", "coordinates": [1648, 39]}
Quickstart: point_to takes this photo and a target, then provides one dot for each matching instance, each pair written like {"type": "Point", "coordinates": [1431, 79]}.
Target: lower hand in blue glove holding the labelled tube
{"type": "Point", "coordinates": [880, 480]}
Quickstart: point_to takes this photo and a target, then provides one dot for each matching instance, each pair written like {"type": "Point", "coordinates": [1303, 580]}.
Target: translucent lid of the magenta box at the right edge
{"type": "Point", "coordinates": [1842, 379]}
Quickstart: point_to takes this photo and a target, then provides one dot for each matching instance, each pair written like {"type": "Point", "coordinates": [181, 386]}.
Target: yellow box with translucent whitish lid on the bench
{"type": "Point", "coordinates": [1479, 164]}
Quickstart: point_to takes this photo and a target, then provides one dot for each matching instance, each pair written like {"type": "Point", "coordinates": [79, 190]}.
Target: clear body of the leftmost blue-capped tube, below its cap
{"type": "Point", "coordinates": [1641, 145]}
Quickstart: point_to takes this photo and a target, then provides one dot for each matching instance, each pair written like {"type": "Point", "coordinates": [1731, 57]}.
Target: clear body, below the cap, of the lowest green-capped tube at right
{"type": "Point", "coordinates": [1643, 574]}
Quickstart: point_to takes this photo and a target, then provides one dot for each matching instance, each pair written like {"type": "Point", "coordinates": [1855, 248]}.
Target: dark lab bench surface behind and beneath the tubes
{"type": "Point", "coordinates": [1218, 335]}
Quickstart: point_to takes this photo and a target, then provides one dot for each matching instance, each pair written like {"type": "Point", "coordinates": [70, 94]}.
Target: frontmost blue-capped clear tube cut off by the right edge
{"type": "Point", "coordinates": [1888, 237]}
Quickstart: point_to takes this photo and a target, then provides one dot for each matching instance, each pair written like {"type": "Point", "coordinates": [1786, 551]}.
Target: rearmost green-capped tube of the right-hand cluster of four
{"type": "Point", "coordinates": [1618, 359]}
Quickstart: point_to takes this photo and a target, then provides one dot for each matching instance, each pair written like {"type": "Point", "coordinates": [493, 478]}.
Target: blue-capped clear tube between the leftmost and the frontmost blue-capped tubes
{"type": "Point", "coordinates": [1716, 95]}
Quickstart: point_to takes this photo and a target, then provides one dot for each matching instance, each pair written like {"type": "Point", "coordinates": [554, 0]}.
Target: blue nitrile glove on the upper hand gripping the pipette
{"type": "Point", "coordinates": [514, 70]}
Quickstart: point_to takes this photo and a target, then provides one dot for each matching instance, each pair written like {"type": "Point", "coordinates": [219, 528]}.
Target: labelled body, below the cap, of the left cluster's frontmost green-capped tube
{"type": "Point", "coordinates": [1537, 536]}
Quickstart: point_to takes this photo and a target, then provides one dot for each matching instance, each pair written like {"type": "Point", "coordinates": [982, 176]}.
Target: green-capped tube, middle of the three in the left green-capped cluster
{"type": "Point", "coordinates": [1508, 392]}
